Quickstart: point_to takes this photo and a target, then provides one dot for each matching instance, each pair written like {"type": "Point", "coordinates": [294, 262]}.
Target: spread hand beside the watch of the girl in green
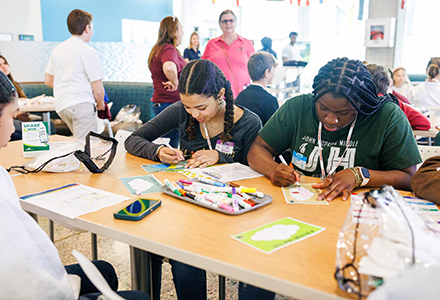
{"type": "Point", "coordinates": [342, 182]}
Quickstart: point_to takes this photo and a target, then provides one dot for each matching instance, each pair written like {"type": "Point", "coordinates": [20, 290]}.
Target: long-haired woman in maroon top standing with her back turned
{"type": "Point", "coordinates": [166, 63]}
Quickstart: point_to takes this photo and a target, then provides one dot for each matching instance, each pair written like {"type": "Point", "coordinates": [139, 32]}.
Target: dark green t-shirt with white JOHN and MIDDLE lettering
{"type": "Point", "coordinates": [382, 141]}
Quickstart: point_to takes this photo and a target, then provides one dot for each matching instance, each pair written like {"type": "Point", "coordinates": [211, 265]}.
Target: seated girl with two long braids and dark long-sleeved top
{"type": "Point", "coordinates": [208, 121]}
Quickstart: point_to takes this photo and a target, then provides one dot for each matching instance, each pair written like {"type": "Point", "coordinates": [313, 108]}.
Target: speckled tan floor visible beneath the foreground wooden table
{"type": "Point", "coordinates": [118, 255]}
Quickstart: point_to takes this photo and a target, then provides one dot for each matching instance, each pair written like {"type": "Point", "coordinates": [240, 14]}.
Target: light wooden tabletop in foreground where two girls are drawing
{"type": "Point", "coordinates": [200, 237]}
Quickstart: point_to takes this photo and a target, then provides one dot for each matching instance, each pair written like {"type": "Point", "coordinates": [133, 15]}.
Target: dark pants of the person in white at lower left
{"type": "Point", "coordinates": [90, 292]}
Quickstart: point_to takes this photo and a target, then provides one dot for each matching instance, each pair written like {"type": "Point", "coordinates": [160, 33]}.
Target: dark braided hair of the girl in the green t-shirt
{"type": "Point", "coordinates": [343, 77]}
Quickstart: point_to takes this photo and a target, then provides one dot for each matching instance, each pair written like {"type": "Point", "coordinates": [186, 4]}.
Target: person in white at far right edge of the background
{"type": "Point", "coordinates": [428, 93]}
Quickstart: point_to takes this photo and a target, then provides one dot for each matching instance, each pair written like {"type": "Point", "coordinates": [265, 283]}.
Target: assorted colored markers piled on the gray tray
{"type": "Point", "coordinates": [217, 195]}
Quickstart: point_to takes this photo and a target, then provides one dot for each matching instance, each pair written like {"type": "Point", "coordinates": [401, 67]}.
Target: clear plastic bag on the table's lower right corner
{"type": "Point", "coordinates": [382, 235]}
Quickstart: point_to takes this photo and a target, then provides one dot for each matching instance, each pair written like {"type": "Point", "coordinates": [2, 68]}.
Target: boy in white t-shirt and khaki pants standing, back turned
{"type": "Point", "coordinates": [74, 72]}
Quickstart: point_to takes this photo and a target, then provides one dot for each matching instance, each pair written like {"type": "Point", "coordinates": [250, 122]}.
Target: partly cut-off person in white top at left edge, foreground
{"type": "Point", "coordinates": [31, 267]}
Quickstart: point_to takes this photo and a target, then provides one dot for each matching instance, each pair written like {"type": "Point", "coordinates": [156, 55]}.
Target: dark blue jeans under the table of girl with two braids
{"type": "Point", "coordinates": [190, 282]}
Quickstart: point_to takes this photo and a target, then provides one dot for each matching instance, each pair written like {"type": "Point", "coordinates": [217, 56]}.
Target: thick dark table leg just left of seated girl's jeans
{"type": "Point", "coordinates": [141, 278]}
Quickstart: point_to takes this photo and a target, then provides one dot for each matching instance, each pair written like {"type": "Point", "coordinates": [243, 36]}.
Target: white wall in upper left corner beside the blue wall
{"type": "Point", "coordinates": [21, 17]}
